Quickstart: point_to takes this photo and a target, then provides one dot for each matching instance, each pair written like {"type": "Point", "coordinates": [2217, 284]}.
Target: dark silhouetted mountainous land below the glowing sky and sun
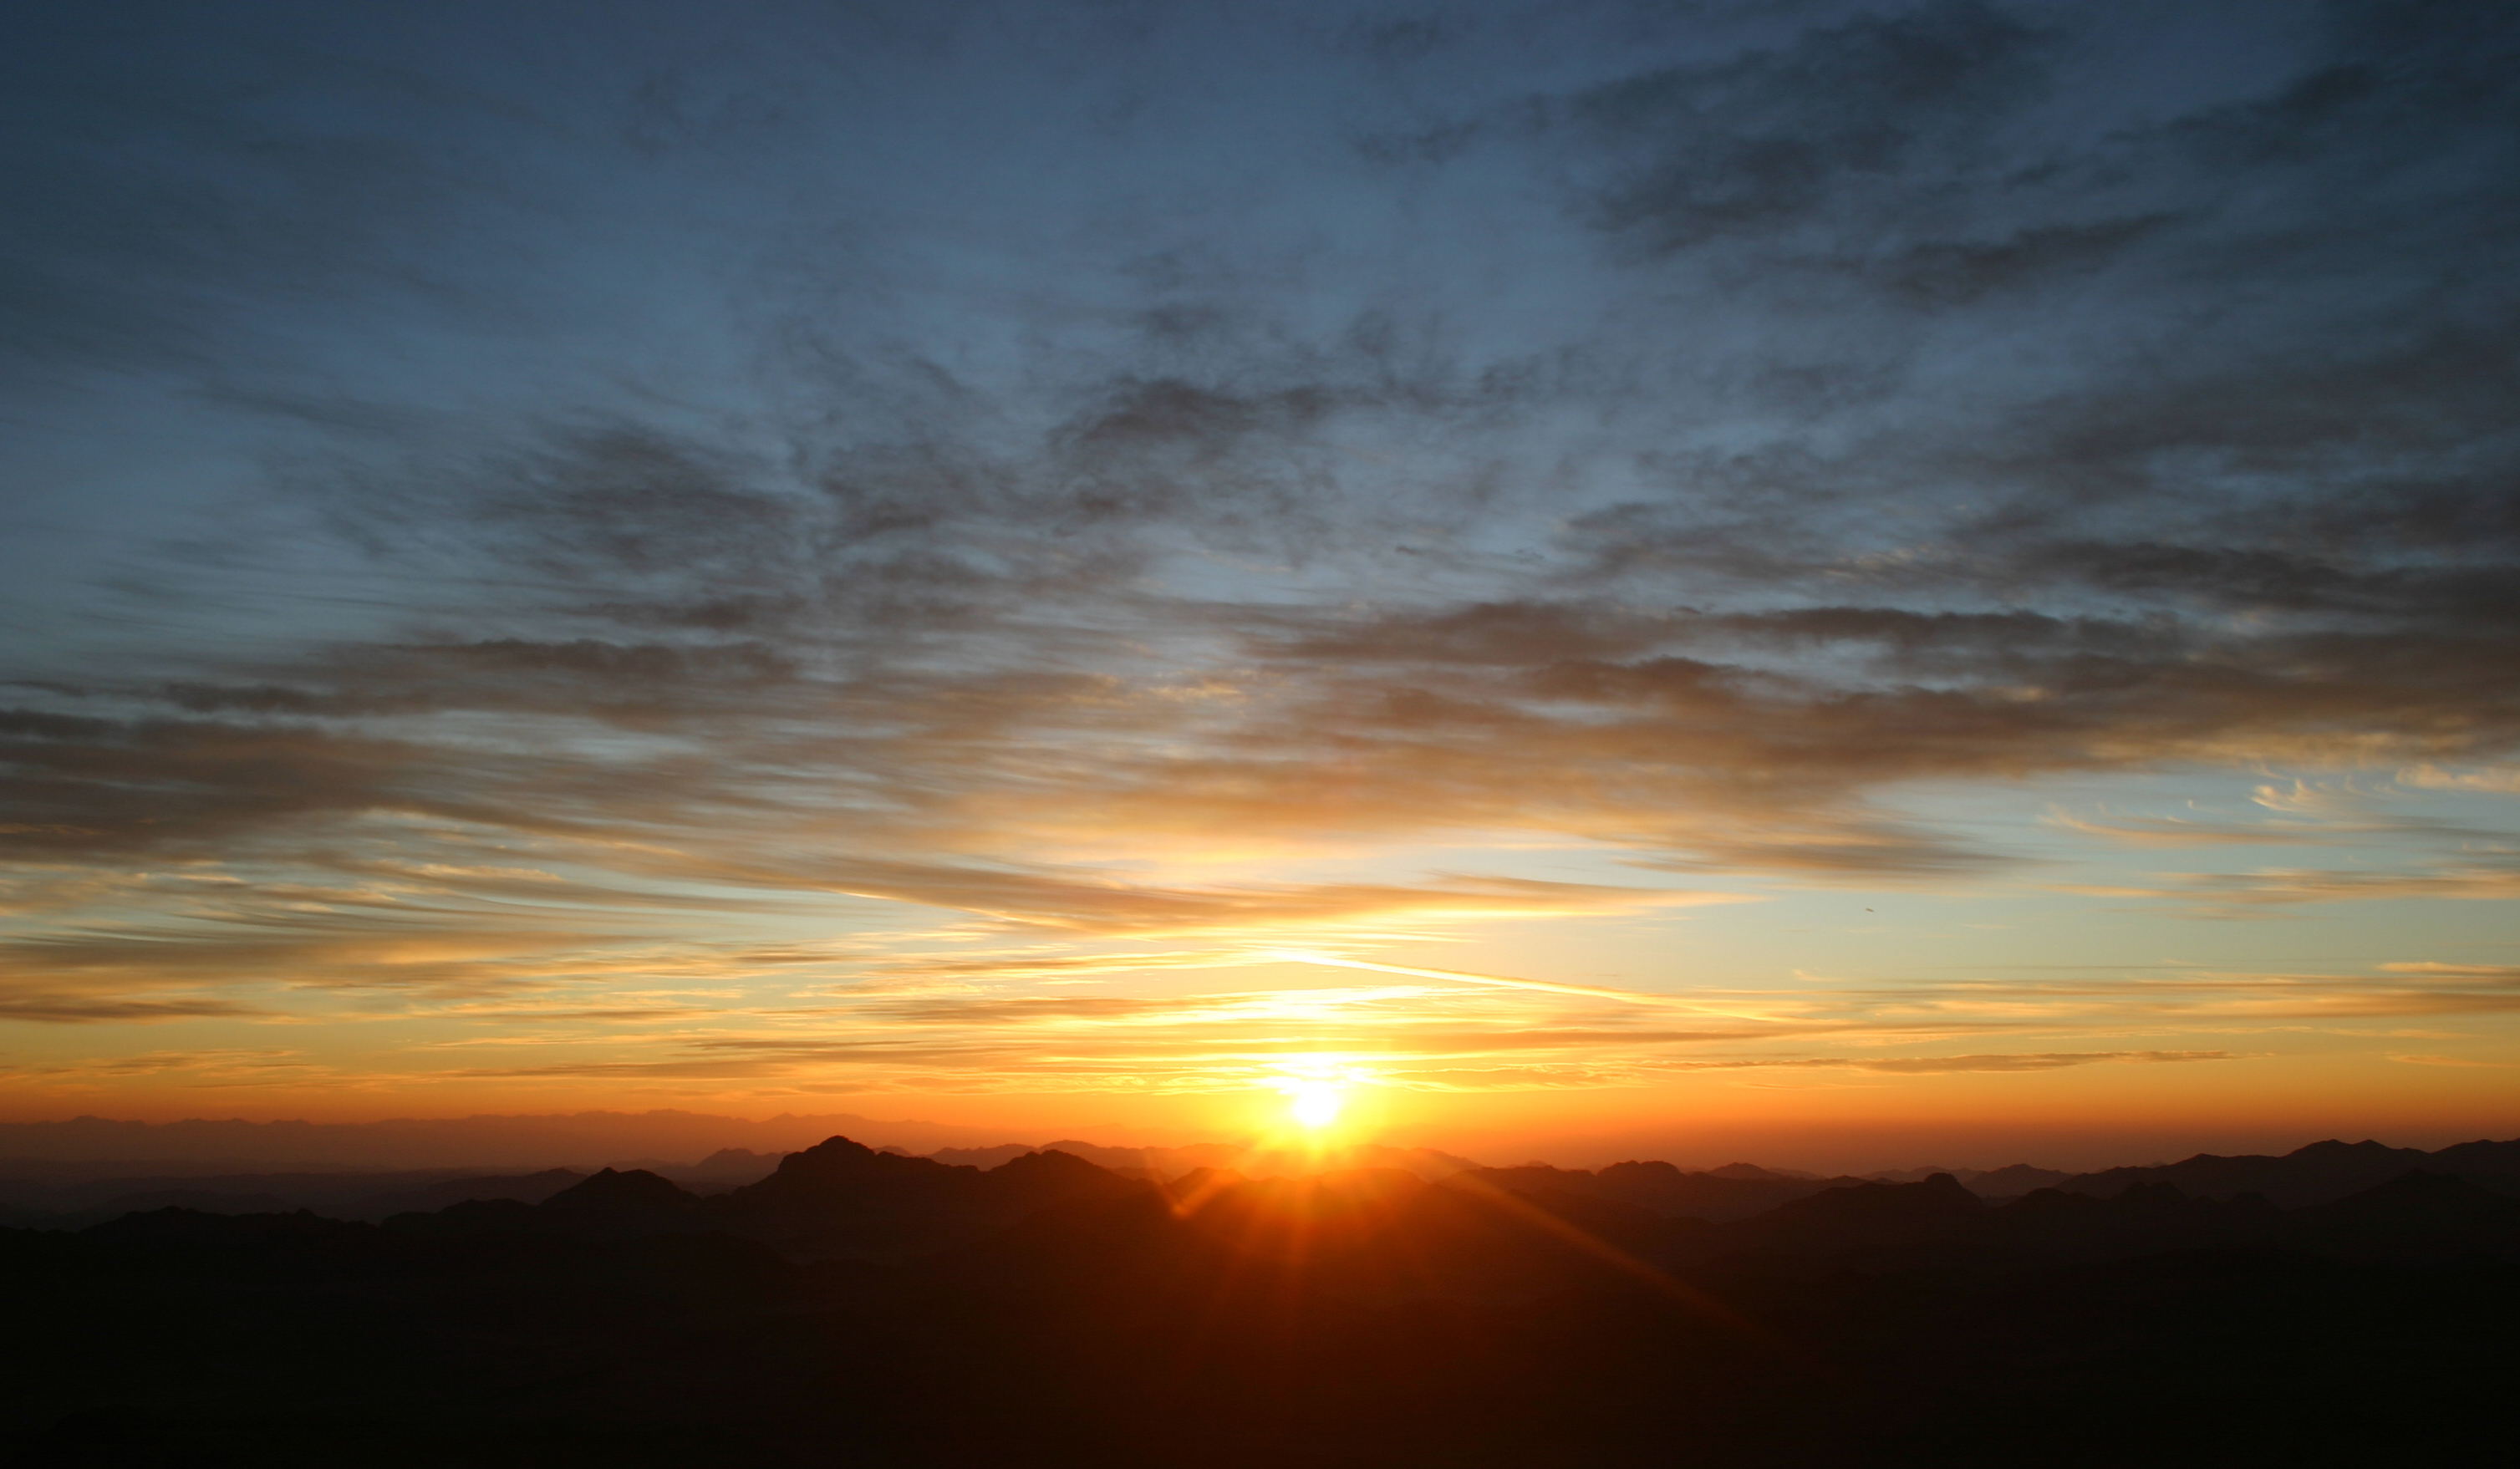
{"type": "Point", "coordinates": [868, 1309]}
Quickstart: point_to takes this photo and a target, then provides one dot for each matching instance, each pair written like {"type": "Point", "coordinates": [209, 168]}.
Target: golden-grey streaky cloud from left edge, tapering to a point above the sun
{"type": "Point", "coordinates": [447, 939]}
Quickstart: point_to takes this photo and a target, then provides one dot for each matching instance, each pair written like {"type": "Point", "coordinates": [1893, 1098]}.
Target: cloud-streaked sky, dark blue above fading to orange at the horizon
{"type": "Point", "coordinates": [1584, 573]}
